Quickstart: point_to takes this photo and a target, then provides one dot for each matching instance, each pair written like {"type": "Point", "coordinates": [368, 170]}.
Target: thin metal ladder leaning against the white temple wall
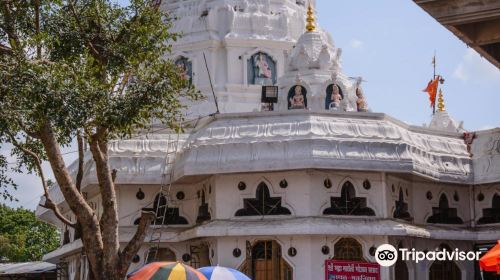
{"type": "Point", "coordinates": [163, 196]}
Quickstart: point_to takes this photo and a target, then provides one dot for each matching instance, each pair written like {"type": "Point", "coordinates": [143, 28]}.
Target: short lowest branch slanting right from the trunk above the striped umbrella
{"type": "Point", "coordinates": [135, 243]}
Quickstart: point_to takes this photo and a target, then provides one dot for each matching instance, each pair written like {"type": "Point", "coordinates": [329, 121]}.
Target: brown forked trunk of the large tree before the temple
{"type": "Point", "coordinates": [100, 238]}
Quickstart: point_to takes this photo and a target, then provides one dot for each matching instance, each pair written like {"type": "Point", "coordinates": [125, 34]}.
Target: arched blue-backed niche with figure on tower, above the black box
{"type": "Point", "coordinates": [261, 70]}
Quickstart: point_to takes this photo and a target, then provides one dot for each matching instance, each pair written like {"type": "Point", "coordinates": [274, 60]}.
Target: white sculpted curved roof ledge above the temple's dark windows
{"type": "Point", "coordinates": [274, 141]}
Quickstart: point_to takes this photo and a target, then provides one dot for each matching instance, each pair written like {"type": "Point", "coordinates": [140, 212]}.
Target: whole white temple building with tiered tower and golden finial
{"type": "Point", "coordinates": [284, 164]}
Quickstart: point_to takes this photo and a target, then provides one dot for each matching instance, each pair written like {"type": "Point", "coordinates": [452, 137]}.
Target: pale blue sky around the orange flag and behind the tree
{"type": "Point", "coordinates": [390, 43]}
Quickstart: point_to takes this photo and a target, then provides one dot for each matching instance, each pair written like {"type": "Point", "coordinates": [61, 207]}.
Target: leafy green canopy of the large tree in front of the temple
{"type": "Point", "coordinates": [86, 64]}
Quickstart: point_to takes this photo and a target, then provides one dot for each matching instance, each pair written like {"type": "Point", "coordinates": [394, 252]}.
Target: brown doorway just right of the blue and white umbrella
{"type": "Point", "coordinates": [265, 262]}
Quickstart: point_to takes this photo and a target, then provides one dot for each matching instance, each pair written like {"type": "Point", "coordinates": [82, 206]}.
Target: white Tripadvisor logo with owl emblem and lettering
{"type": "Point", "coordinates": [387, 255]}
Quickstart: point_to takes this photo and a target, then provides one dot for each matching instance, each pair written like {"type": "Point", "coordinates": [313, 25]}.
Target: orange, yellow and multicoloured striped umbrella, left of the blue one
{"type": "Point", "coordinates": [166, 271]}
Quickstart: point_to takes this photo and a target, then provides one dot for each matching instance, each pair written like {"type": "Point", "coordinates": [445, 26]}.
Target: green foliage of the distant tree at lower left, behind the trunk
{"type": "Point", "coordinates": [24, 238]}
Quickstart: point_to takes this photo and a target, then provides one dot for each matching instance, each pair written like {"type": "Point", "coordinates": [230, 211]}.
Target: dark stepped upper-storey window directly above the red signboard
{"type": "Point", "coordinates": [348, 203]}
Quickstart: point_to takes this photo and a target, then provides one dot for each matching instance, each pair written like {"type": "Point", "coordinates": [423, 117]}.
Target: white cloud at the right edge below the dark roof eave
{"type": "Point", "coordinates": [476, 69]}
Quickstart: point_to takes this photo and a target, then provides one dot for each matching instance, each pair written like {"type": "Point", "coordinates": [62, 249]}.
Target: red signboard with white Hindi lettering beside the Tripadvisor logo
{"type": "Point", "coordinates": [351, 270]}
